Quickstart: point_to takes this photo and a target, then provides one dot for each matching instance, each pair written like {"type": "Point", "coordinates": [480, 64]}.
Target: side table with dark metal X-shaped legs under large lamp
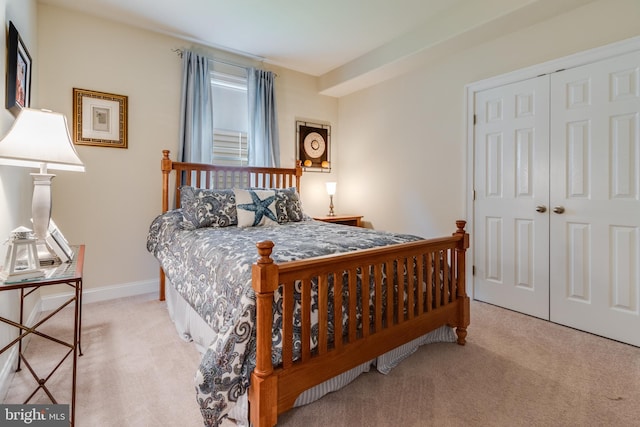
{"type": "Point", "coordinates": [69, 274]}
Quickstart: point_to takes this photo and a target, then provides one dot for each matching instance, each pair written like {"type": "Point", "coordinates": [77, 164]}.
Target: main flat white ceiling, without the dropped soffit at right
{"type": "Point", "coordinates": [311, 36]}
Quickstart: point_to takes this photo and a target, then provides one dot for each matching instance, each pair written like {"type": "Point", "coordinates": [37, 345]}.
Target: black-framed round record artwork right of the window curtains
{"type": "Point", "coordinates": [314, 146]}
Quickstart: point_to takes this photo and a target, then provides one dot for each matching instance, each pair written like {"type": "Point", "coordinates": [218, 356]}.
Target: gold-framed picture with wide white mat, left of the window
{"type": "Point", "coordinates": [99, 118]}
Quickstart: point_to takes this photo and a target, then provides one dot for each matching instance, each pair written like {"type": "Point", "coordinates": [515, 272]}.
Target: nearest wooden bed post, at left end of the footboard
{"type": "Point", "coordinates": [263, 392]}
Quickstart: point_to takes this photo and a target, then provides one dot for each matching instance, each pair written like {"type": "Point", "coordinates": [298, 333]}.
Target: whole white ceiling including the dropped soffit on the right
{"type": "Point", "coordinates": [346, 43]}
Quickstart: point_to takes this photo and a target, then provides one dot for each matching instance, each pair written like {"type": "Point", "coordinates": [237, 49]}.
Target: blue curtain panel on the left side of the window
{"type": "Point", "coordinates": [196, 120]}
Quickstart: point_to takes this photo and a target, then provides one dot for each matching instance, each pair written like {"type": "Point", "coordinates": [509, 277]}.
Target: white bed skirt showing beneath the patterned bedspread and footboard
{"type": "Point", "coordinates": [191, 327]}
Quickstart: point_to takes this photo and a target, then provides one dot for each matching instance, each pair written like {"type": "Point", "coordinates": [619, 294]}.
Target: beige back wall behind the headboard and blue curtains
{"type": "Point", "coordinates": [111, 205]}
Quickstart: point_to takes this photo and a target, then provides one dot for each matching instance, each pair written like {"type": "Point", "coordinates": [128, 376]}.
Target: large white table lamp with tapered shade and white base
{"type": "Point", "coordinates": [40, 139]}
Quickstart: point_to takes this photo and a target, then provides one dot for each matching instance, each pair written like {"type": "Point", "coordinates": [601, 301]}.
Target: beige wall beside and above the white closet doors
{"type": "Point", "coordinates": [403, 142]}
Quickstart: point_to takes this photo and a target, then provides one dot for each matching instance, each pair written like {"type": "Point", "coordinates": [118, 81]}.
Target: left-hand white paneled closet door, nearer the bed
{"type": "Point", "coordinates": [511, 241]}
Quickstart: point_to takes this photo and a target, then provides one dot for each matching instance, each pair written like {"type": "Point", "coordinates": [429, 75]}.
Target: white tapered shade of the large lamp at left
{"type": "Point", "coordinates": [40, 138]}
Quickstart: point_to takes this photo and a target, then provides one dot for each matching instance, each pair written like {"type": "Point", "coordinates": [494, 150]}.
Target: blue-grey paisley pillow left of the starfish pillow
{"type": "Point", "coordinates": [207, 208]}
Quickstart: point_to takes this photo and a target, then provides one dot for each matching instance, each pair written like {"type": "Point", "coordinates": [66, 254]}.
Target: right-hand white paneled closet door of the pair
{"type": "Point", "coordinates": [595, 179]}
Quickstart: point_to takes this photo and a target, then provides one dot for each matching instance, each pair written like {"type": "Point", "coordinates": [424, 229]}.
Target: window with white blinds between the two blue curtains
{"type": "Point", "coordinates": [230, 114]}
